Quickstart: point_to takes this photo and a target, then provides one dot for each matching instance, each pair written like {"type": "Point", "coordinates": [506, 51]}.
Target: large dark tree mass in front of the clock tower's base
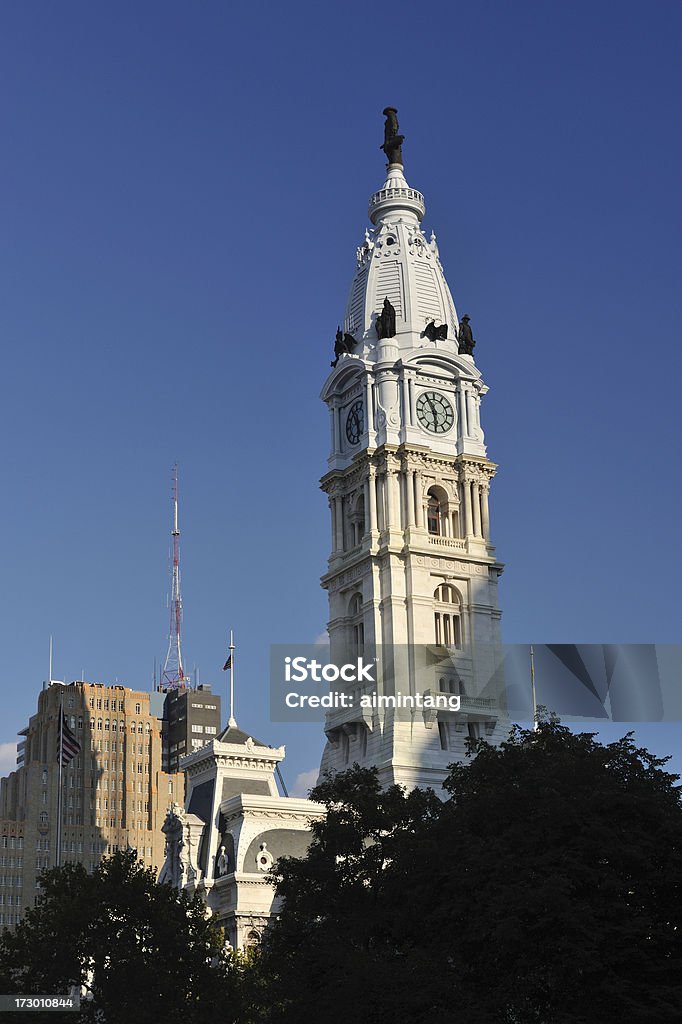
{"type": "Point", "coordinates": [546, 890]}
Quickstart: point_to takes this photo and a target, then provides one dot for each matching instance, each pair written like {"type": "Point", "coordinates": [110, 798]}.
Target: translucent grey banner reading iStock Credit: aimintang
{"type": "Point", "coordinates": [481, 684]}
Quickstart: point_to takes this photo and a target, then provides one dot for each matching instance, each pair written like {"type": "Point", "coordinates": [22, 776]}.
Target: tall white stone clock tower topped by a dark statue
{"type": "Point", "coordinates": [413, 575]}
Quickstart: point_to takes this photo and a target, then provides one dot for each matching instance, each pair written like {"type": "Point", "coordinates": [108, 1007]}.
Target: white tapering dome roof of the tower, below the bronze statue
{"type": "Point", "coordinates": [397, 262]}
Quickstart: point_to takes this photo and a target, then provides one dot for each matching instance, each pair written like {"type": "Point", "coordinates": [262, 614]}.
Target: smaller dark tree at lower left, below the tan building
{"type": "Point", "coordinates": [147, 952]}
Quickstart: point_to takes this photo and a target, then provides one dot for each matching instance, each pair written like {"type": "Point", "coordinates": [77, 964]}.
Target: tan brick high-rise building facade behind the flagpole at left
{"type": "Point", "coordinates": [115, 793]}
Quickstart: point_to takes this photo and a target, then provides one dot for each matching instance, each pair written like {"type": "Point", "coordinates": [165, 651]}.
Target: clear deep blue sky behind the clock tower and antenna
{"type": "Point", "coordinates": [183, 188]}
